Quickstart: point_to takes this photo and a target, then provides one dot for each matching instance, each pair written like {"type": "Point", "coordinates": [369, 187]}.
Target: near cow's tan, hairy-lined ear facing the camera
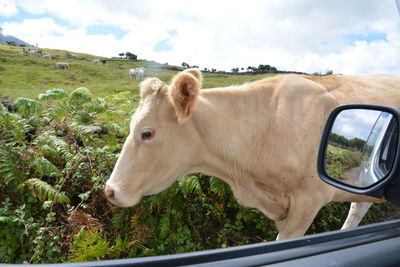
{"type": "Point", "coordinates": [183, 92]}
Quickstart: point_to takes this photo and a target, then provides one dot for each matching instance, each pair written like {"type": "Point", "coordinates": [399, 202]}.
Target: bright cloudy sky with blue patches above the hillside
{"type": "Point", "coordinates": [347, 37]}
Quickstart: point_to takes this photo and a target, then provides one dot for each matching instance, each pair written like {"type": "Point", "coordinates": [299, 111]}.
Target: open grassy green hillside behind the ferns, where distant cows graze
{"type": "Point", "coordinates": [26, 76]}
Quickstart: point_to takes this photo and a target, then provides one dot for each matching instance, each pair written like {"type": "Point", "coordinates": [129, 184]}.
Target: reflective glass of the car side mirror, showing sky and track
{"type": "Point", "coordinates": [361, 147]}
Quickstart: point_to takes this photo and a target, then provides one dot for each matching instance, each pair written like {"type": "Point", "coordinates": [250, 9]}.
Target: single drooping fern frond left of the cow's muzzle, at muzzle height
{"type": "Point", "coordinates": [45, 191]}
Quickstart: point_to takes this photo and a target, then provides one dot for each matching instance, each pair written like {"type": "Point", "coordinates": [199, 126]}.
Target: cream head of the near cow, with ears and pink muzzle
{"type": "Point", "coordinates": [162, 144]}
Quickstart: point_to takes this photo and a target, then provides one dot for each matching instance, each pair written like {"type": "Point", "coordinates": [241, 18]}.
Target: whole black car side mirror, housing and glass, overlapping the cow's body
{"type": "Point", "coordinates": [360, 151]}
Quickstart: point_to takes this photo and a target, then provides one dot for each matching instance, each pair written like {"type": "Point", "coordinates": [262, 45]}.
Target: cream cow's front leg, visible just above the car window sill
{"type": "Point", "coordinates": [300, 216]}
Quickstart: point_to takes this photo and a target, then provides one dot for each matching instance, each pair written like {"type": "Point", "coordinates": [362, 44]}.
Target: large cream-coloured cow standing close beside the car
{"type": "Point", "coordinates": [261, 138]}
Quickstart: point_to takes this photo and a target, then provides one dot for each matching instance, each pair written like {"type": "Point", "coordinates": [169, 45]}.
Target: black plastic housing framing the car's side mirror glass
{"type": "Point", "coordinates": [387, 186]}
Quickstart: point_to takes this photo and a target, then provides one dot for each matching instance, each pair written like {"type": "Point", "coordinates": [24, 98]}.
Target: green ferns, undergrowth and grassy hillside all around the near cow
{"type": "Point", "coordinates": [57, 149]}
